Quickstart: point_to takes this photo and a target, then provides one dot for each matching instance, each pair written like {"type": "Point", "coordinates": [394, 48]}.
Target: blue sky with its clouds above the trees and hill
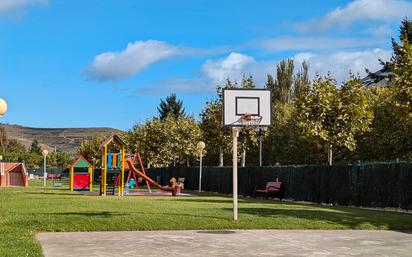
{"type": "Point", "coordinates": [107, 63]}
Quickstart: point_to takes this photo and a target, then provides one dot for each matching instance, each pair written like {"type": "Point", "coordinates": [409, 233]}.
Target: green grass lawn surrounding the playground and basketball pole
{"type": "Point", "coordinates": [25, 211]}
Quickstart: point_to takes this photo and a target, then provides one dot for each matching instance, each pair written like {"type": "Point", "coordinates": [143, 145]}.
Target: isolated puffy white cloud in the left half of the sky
{"type": "Point", "coordinates": [136, 57]}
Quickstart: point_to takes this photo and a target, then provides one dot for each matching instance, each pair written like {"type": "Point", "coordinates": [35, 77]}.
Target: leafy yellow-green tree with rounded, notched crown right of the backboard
{"type": "Point", "coordinates": [335, 116]}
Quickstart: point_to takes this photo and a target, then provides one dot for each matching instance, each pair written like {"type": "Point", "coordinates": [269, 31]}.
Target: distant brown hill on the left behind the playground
{"type": "Point", "coordinates": [61, 139]}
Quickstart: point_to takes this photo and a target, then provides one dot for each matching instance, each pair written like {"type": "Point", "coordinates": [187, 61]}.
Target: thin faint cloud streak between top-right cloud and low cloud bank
{"type": "Point", "coordinates": [315, 43]}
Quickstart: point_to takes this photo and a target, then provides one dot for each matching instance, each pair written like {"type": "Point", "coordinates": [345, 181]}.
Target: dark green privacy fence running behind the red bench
{"type": "Point", "coordinates": [369, 185]}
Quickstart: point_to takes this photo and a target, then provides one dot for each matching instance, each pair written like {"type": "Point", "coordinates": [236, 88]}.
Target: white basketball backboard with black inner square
{"type": "Point", "coordinates": [254, 102]}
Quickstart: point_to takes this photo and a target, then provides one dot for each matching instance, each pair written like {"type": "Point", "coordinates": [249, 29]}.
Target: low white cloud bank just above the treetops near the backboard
{"type": "Point", "coordinates": [235, 65]}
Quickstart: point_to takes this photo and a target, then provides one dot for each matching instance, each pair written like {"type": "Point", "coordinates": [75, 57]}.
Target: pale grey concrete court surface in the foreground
{"type": "Point", "coordinates": [228, 243]}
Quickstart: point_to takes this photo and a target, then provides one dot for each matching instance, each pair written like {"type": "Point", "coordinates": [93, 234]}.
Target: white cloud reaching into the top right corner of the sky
{"type": "Point", "coordinates": [360, 10]}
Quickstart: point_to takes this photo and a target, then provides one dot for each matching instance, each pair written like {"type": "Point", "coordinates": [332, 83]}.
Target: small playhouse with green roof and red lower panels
{"type": "Point", "coordinates": [81, 175]}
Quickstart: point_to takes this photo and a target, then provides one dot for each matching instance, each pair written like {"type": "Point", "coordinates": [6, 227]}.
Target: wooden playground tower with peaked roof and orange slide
{"type": "Point", "coordinates": [117, 163]}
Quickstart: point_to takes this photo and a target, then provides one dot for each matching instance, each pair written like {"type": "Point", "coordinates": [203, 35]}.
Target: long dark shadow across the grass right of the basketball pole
{"type": "Point", "coordinates": [348, 217]}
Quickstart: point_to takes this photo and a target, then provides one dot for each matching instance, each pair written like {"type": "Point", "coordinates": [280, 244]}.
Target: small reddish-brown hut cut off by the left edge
{"type": "Point", "coordinates": [13, 174]}
